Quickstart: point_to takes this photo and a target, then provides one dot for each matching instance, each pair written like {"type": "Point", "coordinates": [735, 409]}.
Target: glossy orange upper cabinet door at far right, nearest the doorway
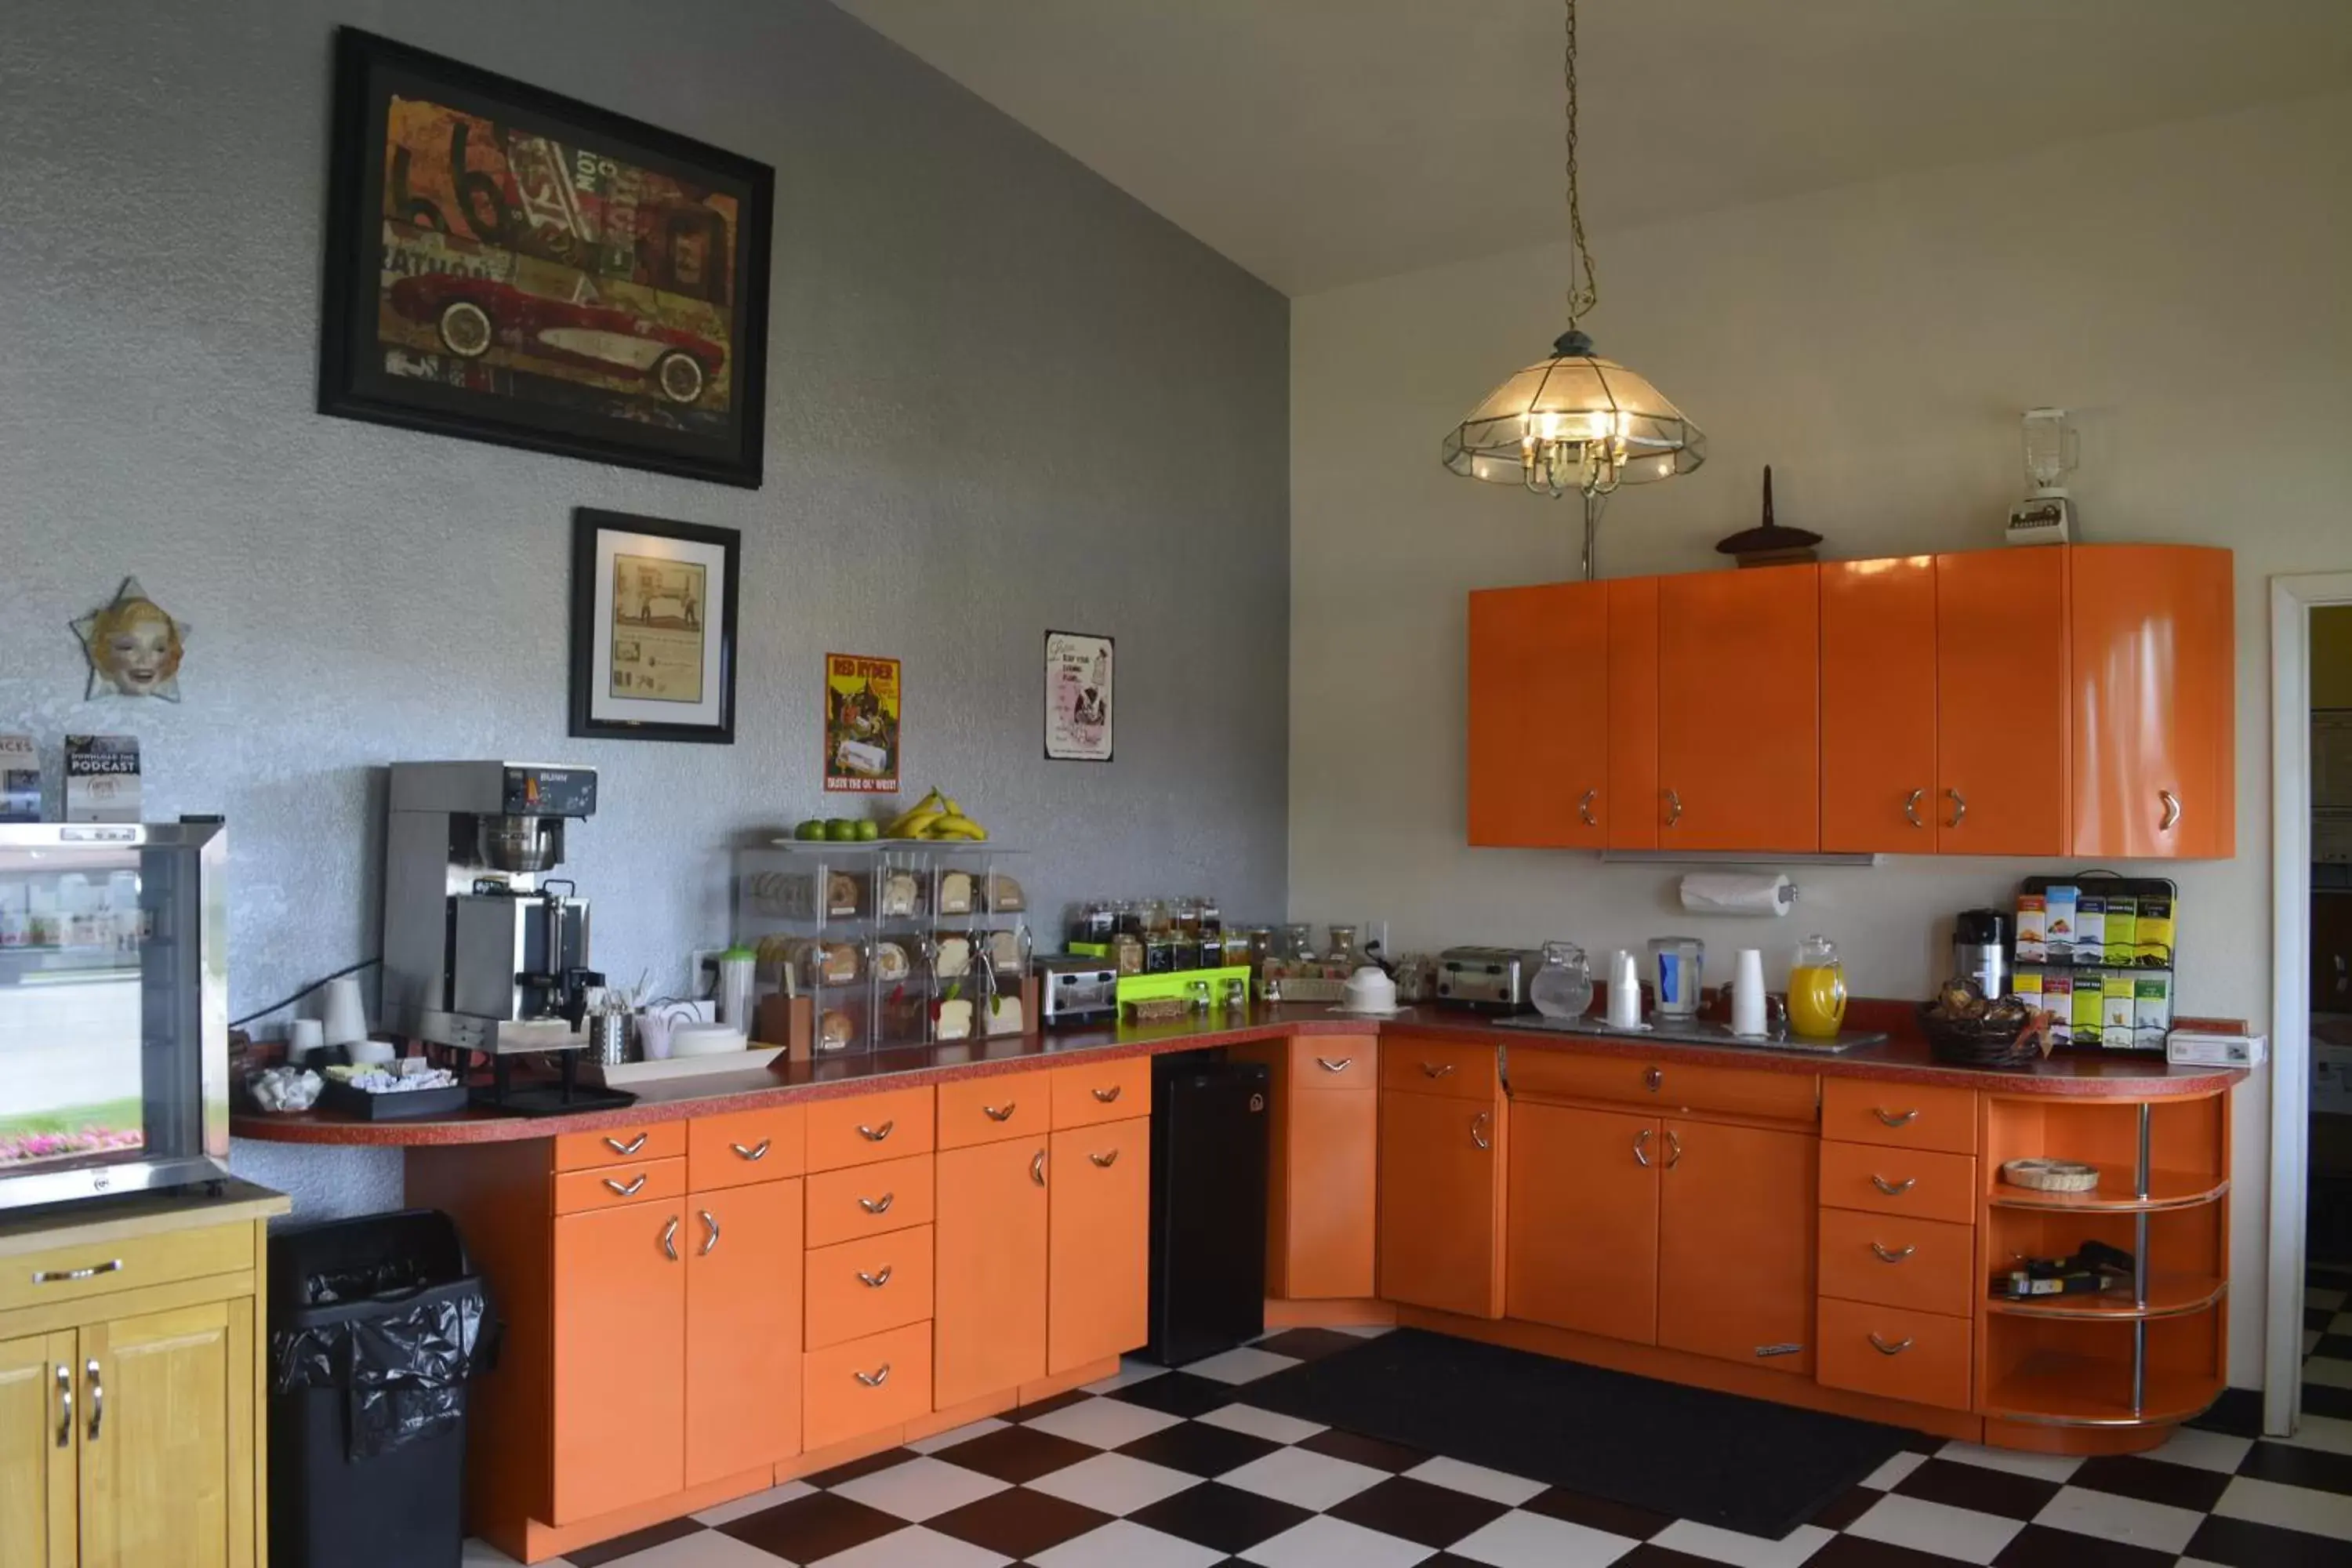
{"type": "Point", "coordinates": [2156, 702]}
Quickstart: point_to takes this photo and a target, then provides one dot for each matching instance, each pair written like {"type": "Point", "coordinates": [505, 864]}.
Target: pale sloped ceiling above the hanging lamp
{"type": "Point", "coordinates": [1323, 142]}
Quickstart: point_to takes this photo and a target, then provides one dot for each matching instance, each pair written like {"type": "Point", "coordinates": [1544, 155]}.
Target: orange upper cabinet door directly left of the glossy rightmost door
{"type": "Point", "coordinates": [2000, 704]}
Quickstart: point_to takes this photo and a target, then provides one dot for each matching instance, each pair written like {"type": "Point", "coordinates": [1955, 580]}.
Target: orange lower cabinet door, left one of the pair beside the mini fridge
{"type": "Point", "coordinates": [991, 1268]}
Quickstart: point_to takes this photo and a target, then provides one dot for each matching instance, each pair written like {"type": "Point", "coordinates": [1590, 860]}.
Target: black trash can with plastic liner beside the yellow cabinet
{"type": "Point", "coordinates": [375, 1327]}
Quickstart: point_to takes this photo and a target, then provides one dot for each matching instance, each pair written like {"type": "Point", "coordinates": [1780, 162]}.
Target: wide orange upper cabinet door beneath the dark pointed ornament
{"type": "Point", "coordinates": [1739, 709]}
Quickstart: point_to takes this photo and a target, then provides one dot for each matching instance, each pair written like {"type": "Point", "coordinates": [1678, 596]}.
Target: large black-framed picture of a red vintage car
{"type": "Point", "coordinates": [516, 267]}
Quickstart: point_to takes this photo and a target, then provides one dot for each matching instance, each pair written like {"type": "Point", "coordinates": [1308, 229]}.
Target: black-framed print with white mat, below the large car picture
{"type": "Point", "coordinates": [653, 629]}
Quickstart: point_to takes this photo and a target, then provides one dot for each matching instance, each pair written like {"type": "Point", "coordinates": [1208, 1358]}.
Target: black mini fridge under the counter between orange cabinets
{"type": "Point", "coordinates": [1208, 1285]}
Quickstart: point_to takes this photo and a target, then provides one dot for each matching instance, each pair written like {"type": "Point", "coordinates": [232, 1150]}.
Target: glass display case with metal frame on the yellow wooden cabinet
{"type": "Point", "coordinates": [114, 1010]}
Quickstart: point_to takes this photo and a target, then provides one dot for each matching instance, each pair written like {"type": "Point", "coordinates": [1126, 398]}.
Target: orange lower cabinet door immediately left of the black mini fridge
{"type": "Point", "coordinates": [1100, 1191]}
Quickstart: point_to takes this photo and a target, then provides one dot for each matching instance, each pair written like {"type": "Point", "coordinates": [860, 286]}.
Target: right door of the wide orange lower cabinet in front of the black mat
{"type": "Point", "coordinates": [1737, 1242]}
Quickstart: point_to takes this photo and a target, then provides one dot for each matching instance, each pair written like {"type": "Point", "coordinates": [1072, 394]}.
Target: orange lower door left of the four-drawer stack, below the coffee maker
{"type": "Point", "coordinates": [742, 1329]}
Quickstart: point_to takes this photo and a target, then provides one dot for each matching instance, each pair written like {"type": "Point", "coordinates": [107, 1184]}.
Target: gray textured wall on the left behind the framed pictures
{"type": "Point", "coordinates": [1003, 396]}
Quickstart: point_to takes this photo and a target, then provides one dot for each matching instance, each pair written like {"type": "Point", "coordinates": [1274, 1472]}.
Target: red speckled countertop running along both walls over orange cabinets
{"type": "Point", "coordinates": [2118, 1078]}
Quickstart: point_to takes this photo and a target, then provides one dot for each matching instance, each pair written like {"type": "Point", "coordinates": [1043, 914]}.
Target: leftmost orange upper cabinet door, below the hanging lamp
{"type": "Point", "coordinates": [1539, 751]}
